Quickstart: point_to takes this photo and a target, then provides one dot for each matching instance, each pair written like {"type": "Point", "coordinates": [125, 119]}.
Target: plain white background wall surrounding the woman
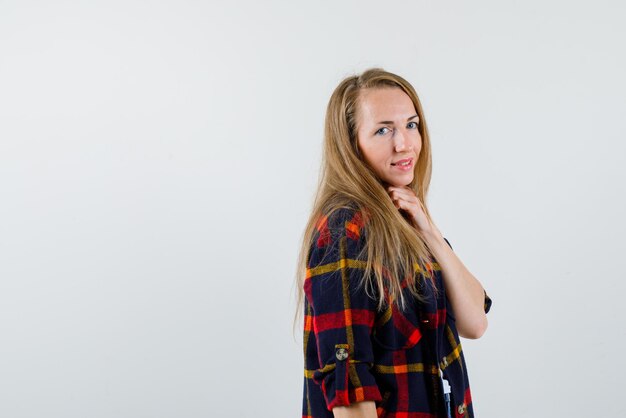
{"type": "Point", "coordinates": [158, 161]}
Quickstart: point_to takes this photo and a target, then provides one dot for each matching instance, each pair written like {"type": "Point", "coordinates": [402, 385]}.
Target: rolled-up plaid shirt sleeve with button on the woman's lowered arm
{"type": "Point", "coordinates": [341, 313]}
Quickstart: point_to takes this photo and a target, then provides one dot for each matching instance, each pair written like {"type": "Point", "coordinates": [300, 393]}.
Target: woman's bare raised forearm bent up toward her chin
{"type": "Point", "coordinates": [464, 291]}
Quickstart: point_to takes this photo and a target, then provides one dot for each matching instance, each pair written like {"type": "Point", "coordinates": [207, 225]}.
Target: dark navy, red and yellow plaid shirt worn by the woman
{"type": "Point", "coordinates": [354, 352]}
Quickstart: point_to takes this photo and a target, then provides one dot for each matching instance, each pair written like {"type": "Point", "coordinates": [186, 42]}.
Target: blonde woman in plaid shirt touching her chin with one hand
{"type": "Point", "coordinates": [385, 298]}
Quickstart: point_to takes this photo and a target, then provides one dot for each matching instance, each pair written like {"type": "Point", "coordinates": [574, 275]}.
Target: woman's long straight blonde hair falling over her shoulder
{"type": "Point", "coordinates": [394, 248]}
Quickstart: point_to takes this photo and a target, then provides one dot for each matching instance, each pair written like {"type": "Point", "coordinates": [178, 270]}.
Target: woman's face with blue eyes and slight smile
{"type": "Point", "coordinates": [388, 135]}
